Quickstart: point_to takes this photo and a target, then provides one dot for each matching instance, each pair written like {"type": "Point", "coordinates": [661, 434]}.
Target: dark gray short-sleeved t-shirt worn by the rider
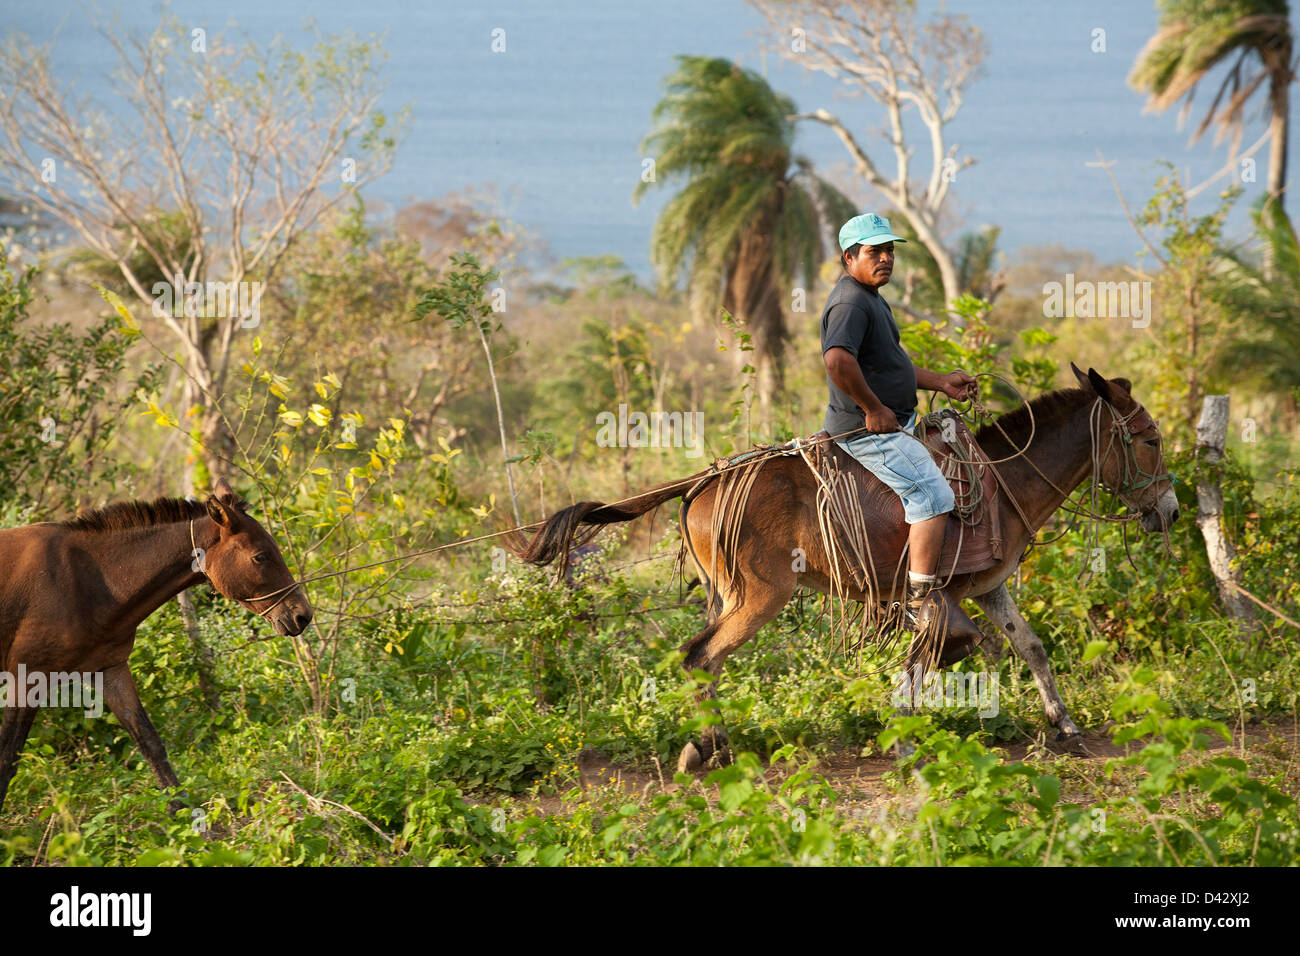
{"type": "Point", "coordinates": [860, 321]}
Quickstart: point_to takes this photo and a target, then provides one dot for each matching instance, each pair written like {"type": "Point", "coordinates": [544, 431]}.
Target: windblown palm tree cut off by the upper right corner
{"type": "Point", "coordinates": [1198, 36]}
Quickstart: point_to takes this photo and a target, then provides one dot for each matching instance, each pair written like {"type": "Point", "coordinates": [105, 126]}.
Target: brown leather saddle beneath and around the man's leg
{"type": "Point", "coordinates": [974, 539]}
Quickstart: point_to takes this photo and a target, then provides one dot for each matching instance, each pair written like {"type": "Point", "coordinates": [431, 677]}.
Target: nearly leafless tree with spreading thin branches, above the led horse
{"type": "Point", "coordinates": [214, 175]}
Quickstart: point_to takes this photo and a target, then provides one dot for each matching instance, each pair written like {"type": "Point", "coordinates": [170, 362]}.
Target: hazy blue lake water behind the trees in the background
{"type": "Point", "coordinates": [556, 120]}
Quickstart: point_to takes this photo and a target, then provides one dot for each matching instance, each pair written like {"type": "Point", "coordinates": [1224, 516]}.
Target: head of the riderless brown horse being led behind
{"type": "Point", "coordinates": [246, 565]}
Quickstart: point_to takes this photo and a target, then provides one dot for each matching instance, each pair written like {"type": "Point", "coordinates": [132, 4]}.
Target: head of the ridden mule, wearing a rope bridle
{"type": "Point", "coordinates": [1132, 452]}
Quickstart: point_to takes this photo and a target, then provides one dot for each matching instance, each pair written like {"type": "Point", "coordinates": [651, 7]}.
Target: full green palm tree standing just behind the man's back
{"type": "Point", "coordinates": [752, 215]}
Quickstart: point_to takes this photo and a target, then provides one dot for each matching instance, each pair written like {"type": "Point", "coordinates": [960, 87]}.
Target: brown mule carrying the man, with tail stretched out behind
{"type": "Point", "coordinates": [1097, 431]}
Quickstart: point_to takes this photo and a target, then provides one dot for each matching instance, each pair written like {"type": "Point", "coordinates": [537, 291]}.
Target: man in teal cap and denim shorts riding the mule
{"type": "Point", "coordinates": [873, 408]}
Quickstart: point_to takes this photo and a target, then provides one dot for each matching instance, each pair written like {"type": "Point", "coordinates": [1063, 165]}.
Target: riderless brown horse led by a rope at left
{"type": "Point", "coordinates": [72, 595]}
